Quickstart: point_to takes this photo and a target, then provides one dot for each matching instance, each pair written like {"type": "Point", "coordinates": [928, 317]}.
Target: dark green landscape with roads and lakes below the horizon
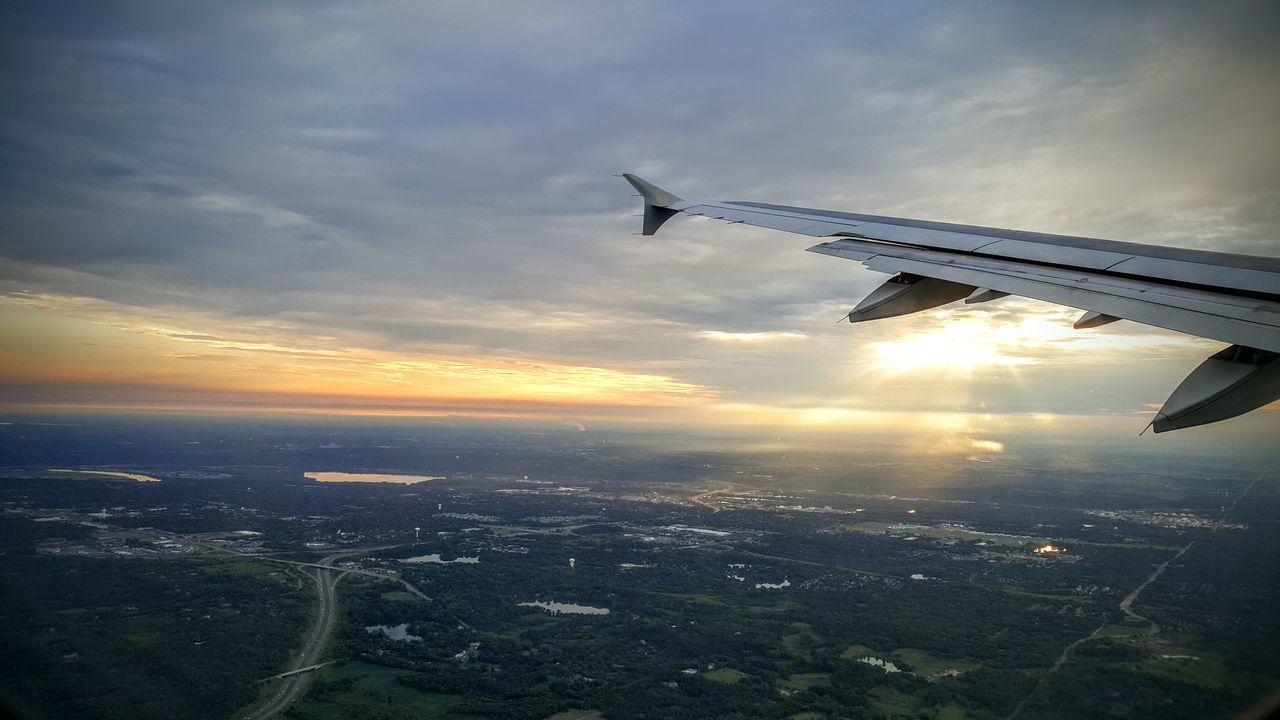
{"type": "Point", "coordinates": [546, 573]}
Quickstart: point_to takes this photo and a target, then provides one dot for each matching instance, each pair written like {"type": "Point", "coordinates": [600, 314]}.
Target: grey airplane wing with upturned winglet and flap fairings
{"type": "Point", "coordinates": [1235, 299]}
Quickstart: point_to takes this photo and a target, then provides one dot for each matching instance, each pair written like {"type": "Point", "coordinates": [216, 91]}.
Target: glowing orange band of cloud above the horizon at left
{"type": "Point", "coordinates": [116, 353]}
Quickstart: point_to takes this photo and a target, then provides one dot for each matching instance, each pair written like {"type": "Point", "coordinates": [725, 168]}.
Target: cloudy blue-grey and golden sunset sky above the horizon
{"type": "Point", "coordinates": [412, 208]}
